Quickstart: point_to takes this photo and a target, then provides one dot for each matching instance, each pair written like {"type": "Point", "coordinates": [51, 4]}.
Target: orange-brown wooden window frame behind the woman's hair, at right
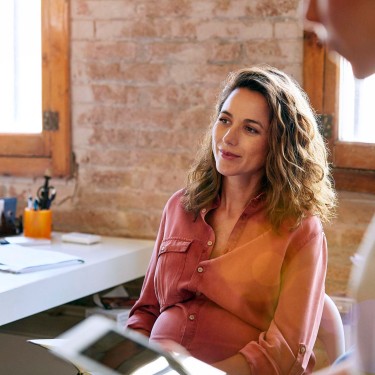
{"type": "Point", "coordinates": [353, 161]}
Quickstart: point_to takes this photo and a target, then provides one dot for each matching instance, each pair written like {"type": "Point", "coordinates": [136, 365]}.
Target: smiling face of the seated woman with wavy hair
{"type": "Point", "coordinates": [240, 136]}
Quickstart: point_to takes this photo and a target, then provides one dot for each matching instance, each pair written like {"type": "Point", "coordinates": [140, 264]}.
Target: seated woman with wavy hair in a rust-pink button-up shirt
{"type": "Point", "coordinates": [237, 274]}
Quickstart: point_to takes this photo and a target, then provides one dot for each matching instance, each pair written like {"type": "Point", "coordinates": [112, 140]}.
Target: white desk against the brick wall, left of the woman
{"type": "Point", "coordinates": [107, 264]}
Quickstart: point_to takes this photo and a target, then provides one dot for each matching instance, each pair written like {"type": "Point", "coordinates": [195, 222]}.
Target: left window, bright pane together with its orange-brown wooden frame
{"type": "Point", "coordinates": [35, 133]}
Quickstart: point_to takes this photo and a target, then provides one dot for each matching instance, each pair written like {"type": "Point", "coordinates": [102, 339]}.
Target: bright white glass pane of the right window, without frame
{"type": "Point", "coordinates": [356, 106]}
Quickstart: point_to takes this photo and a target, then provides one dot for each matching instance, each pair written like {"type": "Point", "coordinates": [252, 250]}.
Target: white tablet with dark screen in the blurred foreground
{"type": "Point", "coordinates": [100, 347]}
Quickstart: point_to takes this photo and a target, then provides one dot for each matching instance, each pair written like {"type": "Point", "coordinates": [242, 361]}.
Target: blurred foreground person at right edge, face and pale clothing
{"type": "Point", "coordinates": [348, 28]}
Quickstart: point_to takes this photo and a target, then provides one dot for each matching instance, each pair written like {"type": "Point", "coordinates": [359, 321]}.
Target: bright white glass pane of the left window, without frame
{"type": "Point", "coordinates": [21, 66]}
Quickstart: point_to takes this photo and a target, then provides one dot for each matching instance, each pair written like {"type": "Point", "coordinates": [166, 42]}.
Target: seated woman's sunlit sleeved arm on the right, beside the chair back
{"type": "Point", "coordinates": [286, 347]}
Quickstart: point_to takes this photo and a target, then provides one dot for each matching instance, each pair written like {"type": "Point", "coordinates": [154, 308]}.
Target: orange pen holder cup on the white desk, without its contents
{"type": "Point", "coordinates": [37, 223]}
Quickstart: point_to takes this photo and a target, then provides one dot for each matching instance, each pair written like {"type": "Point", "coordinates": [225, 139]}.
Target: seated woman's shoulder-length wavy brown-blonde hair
{"type": "Point", "coordinates": [297, 180]}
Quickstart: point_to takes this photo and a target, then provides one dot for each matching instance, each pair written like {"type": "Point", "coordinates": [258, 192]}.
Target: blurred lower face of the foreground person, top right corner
{"type": "Point", "coordinates": [347, 27]}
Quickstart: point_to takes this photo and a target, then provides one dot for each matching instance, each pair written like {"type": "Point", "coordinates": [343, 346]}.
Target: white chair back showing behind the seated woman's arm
{"type": "Point", "coordinates": [331, 330]}
